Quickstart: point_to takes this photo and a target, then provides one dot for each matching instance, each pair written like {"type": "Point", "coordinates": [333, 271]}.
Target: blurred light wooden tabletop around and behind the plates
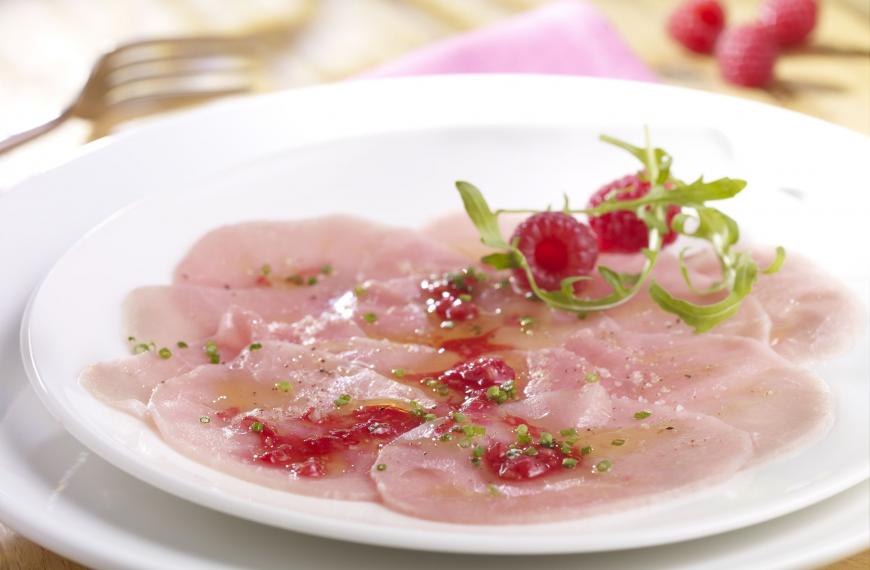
{"type": "Point", "coordinates": [829, 79]}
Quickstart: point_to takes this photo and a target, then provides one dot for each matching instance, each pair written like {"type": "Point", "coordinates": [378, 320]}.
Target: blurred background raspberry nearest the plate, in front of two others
{"type": "Point", "coordinates": [747, 55]}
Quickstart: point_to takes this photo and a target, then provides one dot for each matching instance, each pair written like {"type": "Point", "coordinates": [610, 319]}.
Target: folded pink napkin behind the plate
{"type": "Point", "coordinates": [566, 38]}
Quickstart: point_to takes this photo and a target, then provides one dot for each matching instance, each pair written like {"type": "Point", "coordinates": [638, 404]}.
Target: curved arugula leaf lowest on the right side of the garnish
{"type": "Point", "coordinates": [704, 317]}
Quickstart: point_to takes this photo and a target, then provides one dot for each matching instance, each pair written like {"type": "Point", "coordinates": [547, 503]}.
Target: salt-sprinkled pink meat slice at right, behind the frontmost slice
{"type": "Point", "coordinates": [740, 381]}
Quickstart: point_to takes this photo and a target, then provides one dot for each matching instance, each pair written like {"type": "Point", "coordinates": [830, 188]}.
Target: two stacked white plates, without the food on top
{"type": "Point", "coordinates": [101, 488]}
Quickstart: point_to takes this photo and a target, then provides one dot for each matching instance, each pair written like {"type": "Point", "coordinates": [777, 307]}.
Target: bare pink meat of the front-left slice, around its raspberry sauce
{"type": "Point", "coordinates": [248, 386]}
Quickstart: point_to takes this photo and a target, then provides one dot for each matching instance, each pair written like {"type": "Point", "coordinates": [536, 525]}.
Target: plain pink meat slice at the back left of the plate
{"type": "Point", "coordinates": [355, 250]}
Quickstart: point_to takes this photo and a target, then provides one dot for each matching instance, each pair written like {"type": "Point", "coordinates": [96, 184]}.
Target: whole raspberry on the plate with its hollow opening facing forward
{"type": "Point", "coordinates": [556, 246]}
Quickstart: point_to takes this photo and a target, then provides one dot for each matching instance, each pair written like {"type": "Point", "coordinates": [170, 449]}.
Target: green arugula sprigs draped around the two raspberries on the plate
{"type": "Point", "coordinates": [738, 270]}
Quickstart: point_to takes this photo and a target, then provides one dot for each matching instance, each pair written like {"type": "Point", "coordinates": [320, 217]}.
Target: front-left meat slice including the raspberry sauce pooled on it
{"type": "Point", "coordinates": [287, 417]}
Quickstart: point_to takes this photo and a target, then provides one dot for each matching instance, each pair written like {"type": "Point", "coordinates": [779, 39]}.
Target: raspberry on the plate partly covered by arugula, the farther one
{"type": "Point", "coordinates": [624, 232]}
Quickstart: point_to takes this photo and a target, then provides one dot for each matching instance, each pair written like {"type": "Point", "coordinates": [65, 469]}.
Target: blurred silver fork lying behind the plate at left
{"type": "Point", "coordinates": [142, 77]}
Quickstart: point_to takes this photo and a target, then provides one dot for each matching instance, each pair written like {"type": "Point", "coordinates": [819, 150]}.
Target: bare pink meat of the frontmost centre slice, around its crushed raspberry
{"type": "Point", "coordinates": [432, 479]}
